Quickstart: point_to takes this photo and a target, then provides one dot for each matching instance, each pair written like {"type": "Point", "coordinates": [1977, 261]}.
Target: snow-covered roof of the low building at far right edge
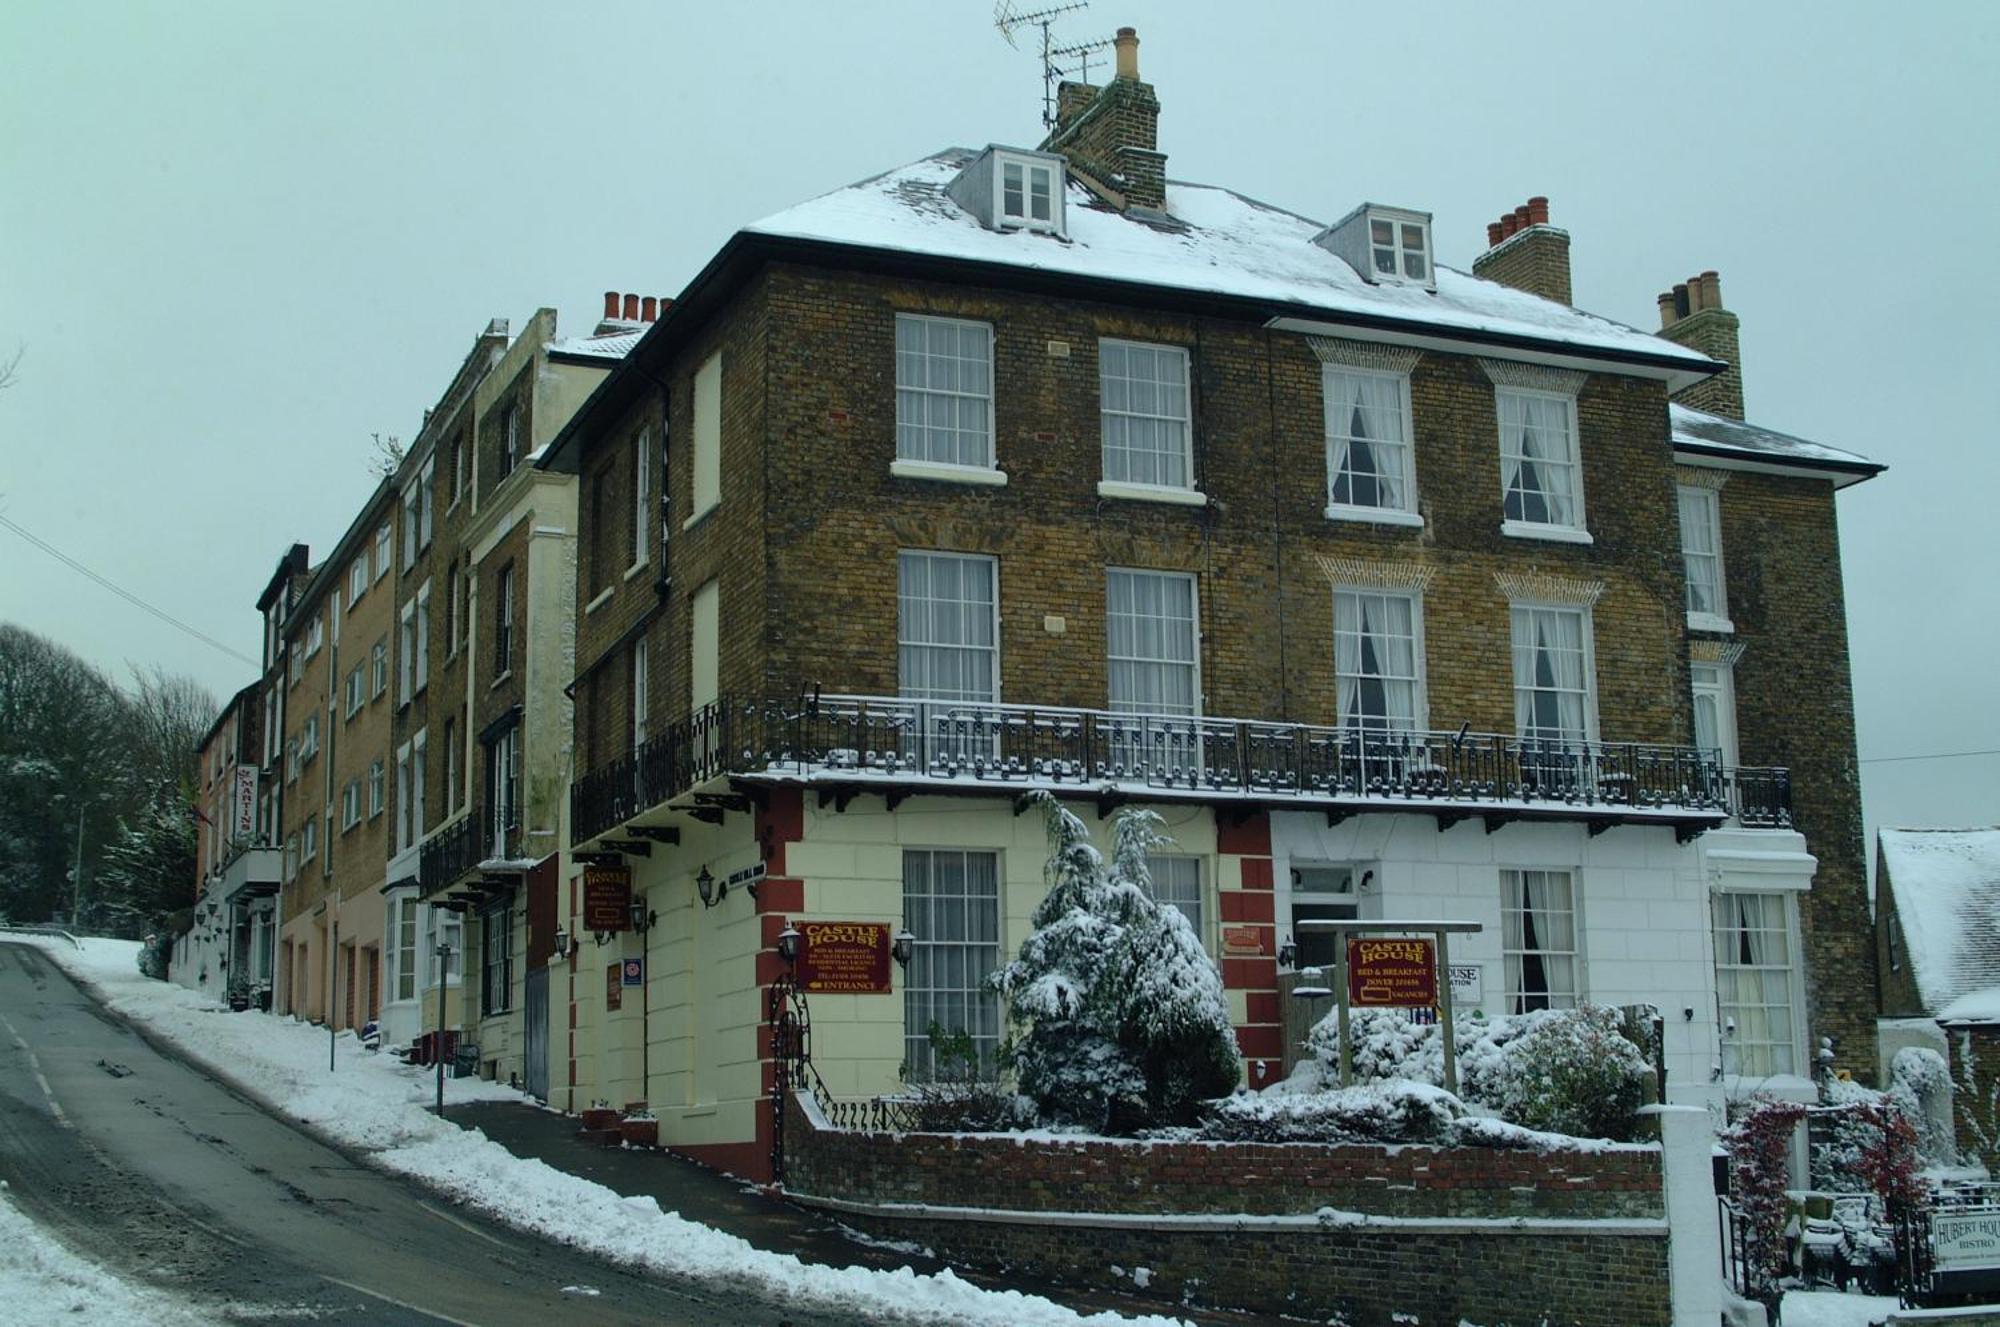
{"type": "Point", "coordinates": [1947, 888]}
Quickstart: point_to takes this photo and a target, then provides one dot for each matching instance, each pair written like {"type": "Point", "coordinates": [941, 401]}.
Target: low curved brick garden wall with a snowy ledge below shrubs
{"type": "Point", "coordinates": [1093, 1212]}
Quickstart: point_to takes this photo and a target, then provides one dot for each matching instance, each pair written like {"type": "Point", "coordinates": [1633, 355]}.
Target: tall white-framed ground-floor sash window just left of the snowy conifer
{"type": "Point", "coordinates": [921, 994]}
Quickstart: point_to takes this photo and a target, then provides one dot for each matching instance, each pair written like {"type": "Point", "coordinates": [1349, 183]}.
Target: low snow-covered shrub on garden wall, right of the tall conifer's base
{"type": "Point", "coordinates": [1391, 1112]}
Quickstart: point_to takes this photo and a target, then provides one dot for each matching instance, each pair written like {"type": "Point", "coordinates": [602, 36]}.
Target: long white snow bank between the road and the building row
{"type": "Point", "coordinates": [377, 1106]}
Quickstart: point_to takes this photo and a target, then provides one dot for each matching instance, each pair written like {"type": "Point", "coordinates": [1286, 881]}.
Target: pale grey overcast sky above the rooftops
{"type": "Point", "coordinates": [241, 239]}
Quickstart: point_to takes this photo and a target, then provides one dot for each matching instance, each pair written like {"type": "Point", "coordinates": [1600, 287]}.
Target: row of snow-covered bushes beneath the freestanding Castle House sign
{"type": "Point", "coordinates": [1553, 1070]}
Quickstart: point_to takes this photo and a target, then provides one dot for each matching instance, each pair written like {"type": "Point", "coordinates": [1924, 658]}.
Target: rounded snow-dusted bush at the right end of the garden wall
{"type": "Point", "coordinates": [1565, 1072]}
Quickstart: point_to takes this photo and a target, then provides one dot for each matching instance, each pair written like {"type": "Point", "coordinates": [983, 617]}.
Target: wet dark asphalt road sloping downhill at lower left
{"type": "Point", "coordinates": [157, 1170]}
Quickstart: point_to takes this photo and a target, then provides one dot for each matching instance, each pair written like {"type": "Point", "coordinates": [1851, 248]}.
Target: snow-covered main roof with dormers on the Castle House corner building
{"type": "Point", "coordinates": [1211, 243]}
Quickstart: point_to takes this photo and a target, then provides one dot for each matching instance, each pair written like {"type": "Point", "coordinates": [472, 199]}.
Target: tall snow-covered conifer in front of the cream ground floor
{"type": "Point", "coordinates": [1119, 1016]}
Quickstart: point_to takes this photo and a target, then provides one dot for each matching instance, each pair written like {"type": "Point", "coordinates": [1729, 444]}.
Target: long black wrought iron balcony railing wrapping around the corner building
{"type": "Point", "coordinates": [865, 740]}
